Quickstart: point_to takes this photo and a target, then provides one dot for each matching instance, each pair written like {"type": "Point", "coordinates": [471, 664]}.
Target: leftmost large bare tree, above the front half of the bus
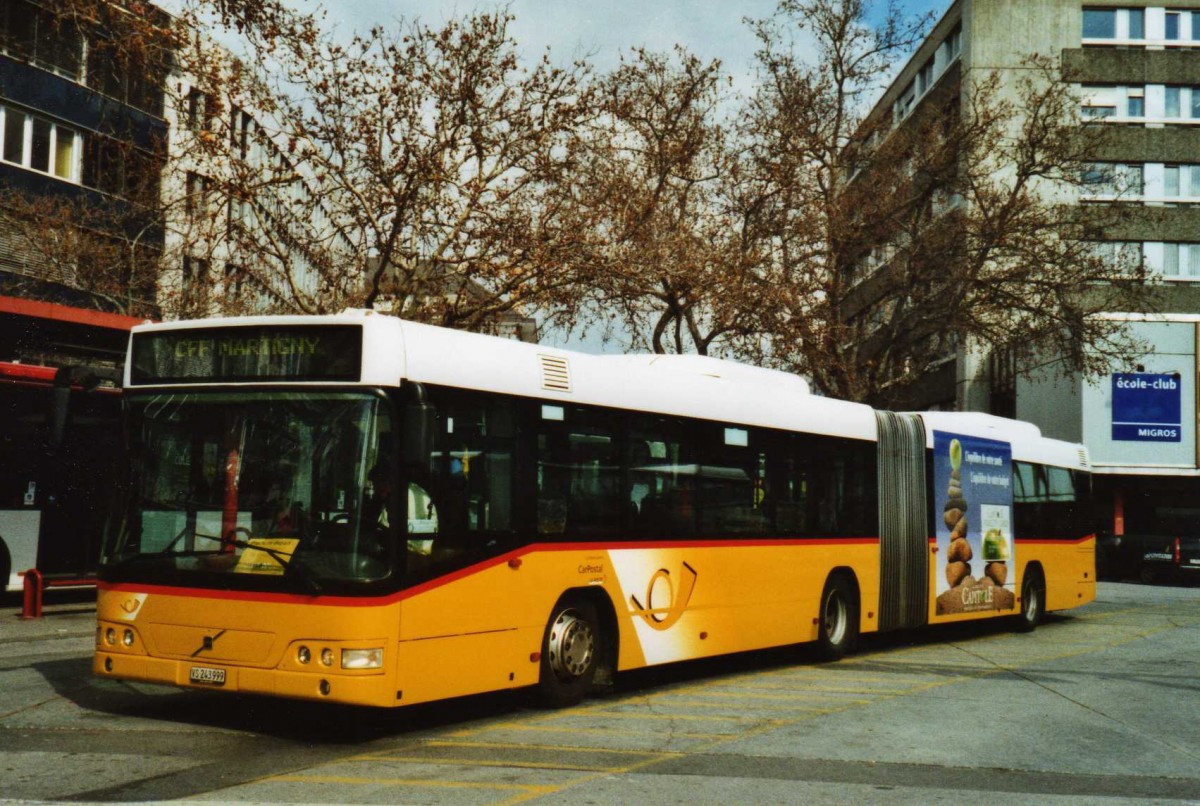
{"type": "Point", "coordinates": [430, 171]}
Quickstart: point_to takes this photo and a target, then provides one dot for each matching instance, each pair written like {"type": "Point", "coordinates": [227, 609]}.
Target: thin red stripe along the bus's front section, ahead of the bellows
{"type": "Point", "coordinates": [463, 574]}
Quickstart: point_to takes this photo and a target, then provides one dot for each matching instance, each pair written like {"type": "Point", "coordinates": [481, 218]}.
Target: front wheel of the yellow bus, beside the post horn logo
{"type": "Point", "coordinates": [571, 653]}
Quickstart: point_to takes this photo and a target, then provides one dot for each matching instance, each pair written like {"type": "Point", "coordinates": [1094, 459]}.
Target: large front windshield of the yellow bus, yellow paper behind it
{"type": "Point", "coordinates": [265, 490]}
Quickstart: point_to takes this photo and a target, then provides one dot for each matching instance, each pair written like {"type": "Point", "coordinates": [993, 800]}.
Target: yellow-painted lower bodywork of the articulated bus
{"type": "Point", "coordinates": [483, 630]}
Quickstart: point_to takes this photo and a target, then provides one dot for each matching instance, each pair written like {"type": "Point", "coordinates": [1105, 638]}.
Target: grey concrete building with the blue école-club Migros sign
{"type": "Point", "coordinates": [1138, 71]}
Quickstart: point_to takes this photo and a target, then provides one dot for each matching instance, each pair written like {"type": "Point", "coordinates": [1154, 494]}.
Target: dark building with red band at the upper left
{"type": "Point", "coordinates": [77, 129]}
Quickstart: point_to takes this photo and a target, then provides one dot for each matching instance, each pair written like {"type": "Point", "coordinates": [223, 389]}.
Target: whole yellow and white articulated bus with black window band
{"type": "Point", "coordinates": [364, 510]}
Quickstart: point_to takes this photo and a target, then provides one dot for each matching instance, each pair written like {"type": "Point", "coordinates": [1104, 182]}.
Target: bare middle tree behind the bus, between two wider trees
{"type": "Point", "coordinates": [659, 189]}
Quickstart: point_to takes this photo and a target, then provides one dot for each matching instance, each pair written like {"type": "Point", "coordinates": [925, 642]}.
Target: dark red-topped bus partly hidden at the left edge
{"type": "Point", "coordinates": [61, 442]}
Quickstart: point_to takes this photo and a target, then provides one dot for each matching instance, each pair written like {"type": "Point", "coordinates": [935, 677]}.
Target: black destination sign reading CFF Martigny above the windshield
{"type": "Point", "coordinates": [239, 354]}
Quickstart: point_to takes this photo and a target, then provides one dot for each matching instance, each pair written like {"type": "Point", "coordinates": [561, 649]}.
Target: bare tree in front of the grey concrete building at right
{"type": "Point", "coordinates": [957, 226]}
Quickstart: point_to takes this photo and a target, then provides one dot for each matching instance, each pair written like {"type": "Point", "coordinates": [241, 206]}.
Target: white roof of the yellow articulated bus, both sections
{"type": "Point", "coordinates": [685, 386]}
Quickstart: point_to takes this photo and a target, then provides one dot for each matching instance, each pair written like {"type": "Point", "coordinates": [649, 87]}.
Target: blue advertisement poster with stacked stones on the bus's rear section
{"type": "Point", "coordinates": [974, 494]}
